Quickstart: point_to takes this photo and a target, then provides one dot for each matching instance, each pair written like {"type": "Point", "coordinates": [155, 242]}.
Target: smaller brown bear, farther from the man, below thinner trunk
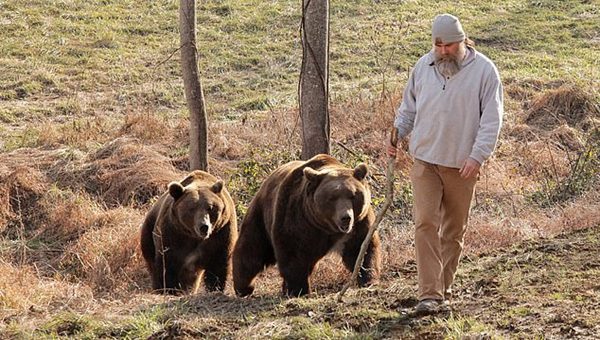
{"type": "Point", "coordinates": [190, 230]}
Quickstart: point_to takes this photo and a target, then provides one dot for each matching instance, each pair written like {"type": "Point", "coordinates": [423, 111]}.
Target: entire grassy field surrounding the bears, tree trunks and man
{"type": "Point", "coordinates": [93, 125]}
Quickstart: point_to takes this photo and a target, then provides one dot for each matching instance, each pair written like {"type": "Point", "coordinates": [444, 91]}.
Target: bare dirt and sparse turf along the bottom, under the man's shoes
{"type": "Point", "coordinates": [541, 289]}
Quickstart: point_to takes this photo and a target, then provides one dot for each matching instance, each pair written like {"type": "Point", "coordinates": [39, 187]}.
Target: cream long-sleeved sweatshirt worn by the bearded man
{"type": "Point", "coordinates": [452, 119]}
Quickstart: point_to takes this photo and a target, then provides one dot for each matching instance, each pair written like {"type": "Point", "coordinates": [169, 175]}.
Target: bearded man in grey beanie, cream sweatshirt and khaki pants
{"type": "Point", "coordinates": [452, 104]}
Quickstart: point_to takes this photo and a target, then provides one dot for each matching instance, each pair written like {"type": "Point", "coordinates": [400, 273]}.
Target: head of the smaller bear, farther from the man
{"type": "Point", "coordinates": [197, 207]}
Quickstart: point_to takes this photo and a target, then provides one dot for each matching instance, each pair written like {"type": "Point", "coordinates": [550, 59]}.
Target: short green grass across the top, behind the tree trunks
{"type": "Point", "coordinates": [250, 51]}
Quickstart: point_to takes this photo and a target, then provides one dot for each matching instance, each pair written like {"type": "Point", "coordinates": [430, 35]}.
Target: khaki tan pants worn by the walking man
{"type": "Point", "coordinates": [442, 200]}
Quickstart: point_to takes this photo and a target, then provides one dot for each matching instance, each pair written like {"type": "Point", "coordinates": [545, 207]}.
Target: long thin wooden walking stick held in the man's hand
{"type": "Point", "coordinates": [389, 195]}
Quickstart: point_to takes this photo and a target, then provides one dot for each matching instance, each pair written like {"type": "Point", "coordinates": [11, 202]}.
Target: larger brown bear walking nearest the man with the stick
{"type": "Point", "coordinates": [303, 210]}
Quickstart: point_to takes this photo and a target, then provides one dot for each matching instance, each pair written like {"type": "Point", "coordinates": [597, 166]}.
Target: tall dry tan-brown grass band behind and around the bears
{"type": "Point", "coordinates": [70, 217]}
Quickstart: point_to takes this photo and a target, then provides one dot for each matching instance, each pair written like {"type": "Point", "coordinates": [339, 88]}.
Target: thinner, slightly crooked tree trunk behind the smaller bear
{"type": "Point", "coordinates": [193, 88]}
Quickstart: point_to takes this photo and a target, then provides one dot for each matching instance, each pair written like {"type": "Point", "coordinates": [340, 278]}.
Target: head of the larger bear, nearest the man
{"type": "Point", "coordinates": [340, 197]}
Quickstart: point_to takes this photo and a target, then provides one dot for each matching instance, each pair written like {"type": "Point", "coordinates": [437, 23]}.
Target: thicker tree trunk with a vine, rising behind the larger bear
{"type": "Point", "coordinates": [314, 78]}
